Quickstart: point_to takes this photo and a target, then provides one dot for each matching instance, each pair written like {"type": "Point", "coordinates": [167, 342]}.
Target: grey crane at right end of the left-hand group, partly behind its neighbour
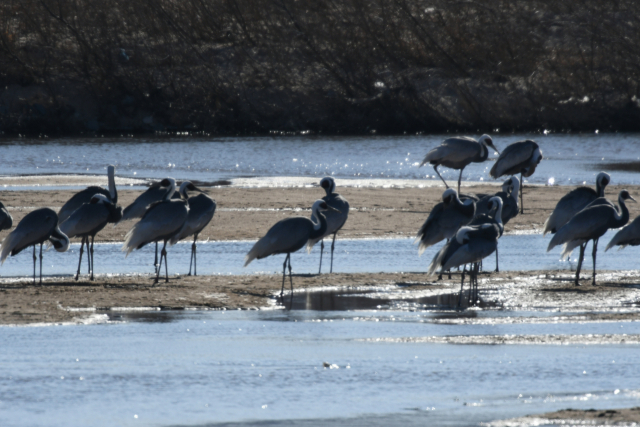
{"type": "Point", "coordinates": [201, 210]}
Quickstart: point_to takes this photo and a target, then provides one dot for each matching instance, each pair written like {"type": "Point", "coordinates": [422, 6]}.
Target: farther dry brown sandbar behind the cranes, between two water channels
{"type": "Point", "coordinates": [247, 213]}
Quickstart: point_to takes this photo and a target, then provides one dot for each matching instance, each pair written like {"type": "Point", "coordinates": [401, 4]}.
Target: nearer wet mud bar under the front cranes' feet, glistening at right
{"type": "Point", "coordinates": [616, 298]}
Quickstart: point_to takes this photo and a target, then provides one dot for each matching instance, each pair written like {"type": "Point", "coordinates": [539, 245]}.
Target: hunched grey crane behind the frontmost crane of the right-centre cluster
{"type": "Point", "coordinates": [445, 219]}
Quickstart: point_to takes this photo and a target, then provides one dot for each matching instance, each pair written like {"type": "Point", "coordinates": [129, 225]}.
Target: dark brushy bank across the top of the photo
{"type": "Point", "coordinates": [347, 66]}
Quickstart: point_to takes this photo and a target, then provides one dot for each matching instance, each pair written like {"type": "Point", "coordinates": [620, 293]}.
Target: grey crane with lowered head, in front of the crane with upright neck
{"type": "Point", "coordinates": [87, 221]}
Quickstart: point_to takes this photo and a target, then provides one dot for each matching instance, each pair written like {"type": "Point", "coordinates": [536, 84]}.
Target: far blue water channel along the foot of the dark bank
{"type": "Point", "coordinates": [568, 159]}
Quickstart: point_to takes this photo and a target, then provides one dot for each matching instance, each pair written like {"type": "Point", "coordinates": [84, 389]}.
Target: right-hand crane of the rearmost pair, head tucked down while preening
{"type": "Point", "coordinates": [522, 158]}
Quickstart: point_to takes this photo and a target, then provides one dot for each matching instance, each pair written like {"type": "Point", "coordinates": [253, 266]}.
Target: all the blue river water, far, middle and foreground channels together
{"type": "Point", "coordinates": [353, 364]}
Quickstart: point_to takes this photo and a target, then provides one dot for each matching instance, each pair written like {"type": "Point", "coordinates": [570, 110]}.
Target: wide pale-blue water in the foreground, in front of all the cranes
{"type": "Point", "coordinates": [211, 368]}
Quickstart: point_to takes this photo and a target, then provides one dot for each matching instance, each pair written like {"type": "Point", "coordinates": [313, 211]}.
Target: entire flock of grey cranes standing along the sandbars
{"type": "Point", "coordinates": [470, 224]}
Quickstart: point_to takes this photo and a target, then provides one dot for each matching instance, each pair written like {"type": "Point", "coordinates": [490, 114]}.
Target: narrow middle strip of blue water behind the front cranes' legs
{"type": "Point", "coordinates": [516, 252]}
